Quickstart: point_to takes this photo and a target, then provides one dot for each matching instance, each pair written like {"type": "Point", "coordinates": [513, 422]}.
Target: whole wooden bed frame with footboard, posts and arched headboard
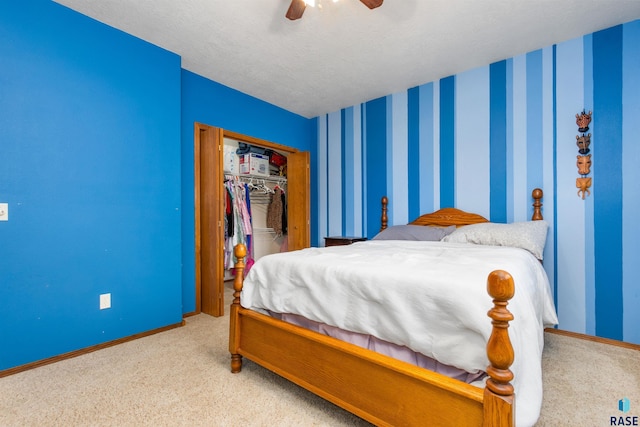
{"type": "Point", "coordinates": [375, 387]}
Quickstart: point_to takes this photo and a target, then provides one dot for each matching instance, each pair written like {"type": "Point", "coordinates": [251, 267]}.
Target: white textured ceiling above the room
{"type": "Point", "coordinates": [344, 54]}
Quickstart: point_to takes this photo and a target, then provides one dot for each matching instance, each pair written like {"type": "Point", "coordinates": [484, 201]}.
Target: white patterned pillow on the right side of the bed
{"type": "Point", "coordinates": [529, 235]}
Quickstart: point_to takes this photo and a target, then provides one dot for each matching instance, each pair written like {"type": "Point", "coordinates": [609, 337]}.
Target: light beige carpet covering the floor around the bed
{"type": "Point", "coordinates": [181, 378]}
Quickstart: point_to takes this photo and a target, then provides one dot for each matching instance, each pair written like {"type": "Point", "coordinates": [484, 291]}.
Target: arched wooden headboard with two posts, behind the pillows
{"type": "Point", "coordinates": [451, 216]}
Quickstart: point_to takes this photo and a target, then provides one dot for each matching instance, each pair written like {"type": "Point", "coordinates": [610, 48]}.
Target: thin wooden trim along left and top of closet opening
{"type": "Point", "coordinates": [201, 129]}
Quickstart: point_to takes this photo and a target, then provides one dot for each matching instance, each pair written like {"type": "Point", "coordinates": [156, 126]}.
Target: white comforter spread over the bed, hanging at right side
{"type": "Point", "coordinates": [429, 296]}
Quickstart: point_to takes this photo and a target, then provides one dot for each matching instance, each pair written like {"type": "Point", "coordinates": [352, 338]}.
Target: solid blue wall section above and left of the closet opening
{"type": "Point", "coordinates": [211, 103]}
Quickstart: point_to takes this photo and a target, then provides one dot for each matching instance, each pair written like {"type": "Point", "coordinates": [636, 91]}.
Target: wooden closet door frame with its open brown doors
{"type": "Point", "coordinates": [209, 197]}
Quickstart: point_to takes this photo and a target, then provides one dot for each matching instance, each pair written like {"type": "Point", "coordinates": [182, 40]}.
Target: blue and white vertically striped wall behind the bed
{"type": "Point", "coordinates": [483, 139]}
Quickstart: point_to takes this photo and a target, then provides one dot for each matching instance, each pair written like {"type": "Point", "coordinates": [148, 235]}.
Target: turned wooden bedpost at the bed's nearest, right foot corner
{"type": "Point", "coordinates": [499, 397]}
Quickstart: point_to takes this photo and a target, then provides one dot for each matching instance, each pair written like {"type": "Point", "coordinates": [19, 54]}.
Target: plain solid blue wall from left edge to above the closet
{"type": "Point", "coordinates": [94, 137]}
